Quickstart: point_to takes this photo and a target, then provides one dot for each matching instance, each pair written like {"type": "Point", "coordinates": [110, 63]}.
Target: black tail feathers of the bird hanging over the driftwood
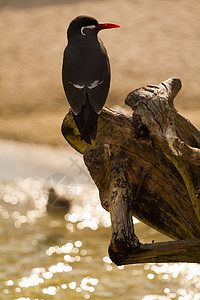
{"type": "Point", "coordinates": [86, 122]}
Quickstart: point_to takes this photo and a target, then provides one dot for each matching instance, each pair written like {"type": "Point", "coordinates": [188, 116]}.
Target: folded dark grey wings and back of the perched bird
{"type": "Point", "coordinates": [86, 72]}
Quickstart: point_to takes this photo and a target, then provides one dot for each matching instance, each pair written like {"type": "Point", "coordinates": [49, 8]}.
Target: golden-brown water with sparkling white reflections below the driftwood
{"type": "Point", "coordinates": [65, 257]}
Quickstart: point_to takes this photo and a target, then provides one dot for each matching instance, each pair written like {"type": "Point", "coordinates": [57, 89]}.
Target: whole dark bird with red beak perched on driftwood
{"type": "Point", "coordinates": [86, 73]}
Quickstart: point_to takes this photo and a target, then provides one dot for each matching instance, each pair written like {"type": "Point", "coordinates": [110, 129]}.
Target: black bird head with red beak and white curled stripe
{"type": "Point", "coordinates": [87, 26]}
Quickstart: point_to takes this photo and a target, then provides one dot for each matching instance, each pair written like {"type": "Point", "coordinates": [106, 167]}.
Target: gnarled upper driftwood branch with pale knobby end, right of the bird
{"type": "Point", "coordinates": [160, 120]}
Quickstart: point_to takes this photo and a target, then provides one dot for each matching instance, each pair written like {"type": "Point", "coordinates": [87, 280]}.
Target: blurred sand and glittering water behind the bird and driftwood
{"type": "Point", "coordinates": [64, 256]}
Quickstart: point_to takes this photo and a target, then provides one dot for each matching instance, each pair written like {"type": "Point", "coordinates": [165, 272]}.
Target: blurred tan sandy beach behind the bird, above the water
{"type": "Point", "coordinates": [157, 40]}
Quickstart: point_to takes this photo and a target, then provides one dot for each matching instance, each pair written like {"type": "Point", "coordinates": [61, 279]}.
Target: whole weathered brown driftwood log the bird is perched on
{"type": "Point", "coordinates": [148, 166]}
